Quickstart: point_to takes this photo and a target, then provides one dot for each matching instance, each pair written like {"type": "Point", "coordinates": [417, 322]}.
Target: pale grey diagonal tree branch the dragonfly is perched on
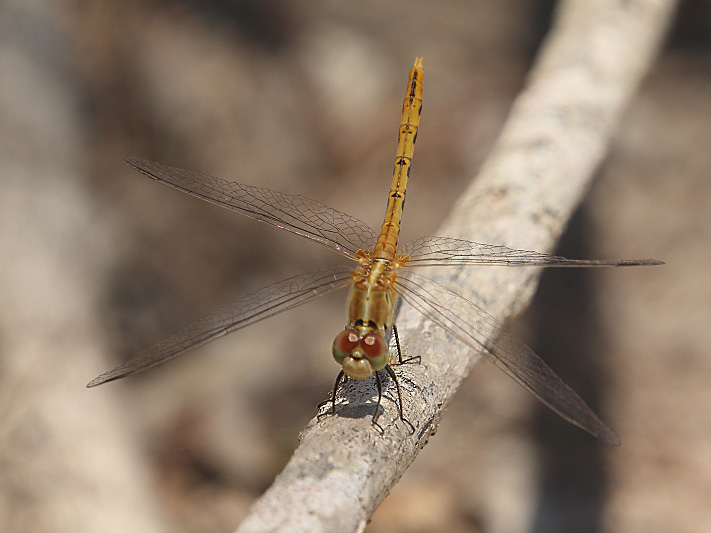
{"type": "Point", "coordinates": [542, 164]}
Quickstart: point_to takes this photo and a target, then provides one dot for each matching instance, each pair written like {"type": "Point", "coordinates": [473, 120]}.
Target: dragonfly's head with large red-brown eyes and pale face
{"type": "Point", "coordinates": [360, 353]}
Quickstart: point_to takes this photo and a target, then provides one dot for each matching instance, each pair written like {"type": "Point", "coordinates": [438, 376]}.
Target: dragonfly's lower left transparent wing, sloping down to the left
{"type": "Point", "coordinates": [257, 306]}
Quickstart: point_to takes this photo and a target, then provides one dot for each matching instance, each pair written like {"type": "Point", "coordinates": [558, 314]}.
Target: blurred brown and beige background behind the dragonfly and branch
{"type": "Point", "coordinates": [98, 262]}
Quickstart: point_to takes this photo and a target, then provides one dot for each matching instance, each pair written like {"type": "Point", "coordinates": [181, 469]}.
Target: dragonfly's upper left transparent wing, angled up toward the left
{"type": "Point", "coordinates": [295, 213]}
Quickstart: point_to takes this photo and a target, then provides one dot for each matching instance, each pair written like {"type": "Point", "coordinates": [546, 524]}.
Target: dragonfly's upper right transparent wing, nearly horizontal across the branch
{"type": "Point", "coordinates": [429, 251]}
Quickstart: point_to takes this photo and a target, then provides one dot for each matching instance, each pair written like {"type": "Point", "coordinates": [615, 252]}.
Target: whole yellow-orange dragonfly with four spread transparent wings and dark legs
{"type": "Point", "coordinates": [380, 273]}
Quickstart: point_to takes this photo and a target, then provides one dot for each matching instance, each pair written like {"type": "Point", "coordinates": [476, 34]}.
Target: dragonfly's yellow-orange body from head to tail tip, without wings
{"type": "Point", "coordinates": [371, 303]}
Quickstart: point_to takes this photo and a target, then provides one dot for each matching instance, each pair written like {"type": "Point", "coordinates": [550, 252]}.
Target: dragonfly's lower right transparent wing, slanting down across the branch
{"type": "Point", "coordinates": [479, 330]}
